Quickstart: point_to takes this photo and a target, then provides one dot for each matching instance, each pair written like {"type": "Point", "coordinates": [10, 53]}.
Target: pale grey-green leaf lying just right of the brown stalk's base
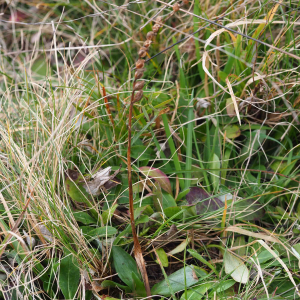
{"type": "Point", "coordinates": [178, 282]}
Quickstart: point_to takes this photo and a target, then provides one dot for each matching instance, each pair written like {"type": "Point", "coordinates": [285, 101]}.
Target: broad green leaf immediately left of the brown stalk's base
{"type": "Point", "coordinates": [124, 265]}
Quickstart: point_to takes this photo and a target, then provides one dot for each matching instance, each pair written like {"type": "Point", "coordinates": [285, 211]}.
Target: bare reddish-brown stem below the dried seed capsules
{"type": "Point", "coordinates": [138, 254]}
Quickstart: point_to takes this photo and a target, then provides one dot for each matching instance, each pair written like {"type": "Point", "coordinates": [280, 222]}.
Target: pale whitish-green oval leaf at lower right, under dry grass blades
{"type": "Point", "coordinates": [236, 268]}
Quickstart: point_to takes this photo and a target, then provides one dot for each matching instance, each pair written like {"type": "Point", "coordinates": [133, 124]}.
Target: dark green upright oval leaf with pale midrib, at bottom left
{"type": "Point", "coordinates": [69, 276]}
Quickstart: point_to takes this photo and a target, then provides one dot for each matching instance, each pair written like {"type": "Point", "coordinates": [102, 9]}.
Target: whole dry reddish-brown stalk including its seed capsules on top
{"type": "Point", "coordinates": [136, 96]}
